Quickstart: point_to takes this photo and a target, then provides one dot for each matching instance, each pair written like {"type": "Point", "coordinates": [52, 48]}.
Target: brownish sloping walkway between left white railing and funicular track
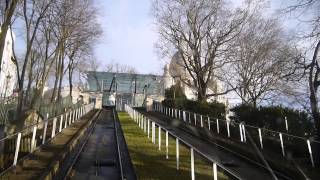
{"type": "Point", "coordinates": [46, 160]}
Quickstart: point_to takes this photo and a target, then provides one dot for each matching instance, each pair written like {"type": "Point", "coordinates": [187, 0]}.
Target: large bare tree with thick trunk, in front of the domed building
{"type": "Point", "coordinates": [202, 32]}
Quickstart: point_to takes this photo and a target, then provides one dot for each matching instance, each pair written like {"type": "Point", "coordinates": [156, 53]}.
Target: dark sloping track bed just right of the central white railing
{"type": "Point", "coordinates": [243, 168]}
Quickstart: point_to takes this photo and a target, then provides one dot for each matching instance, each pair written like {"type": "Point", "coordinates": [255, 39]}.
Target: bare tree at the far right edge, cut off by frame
{"type": "Point", "coordinates": [308, 11]}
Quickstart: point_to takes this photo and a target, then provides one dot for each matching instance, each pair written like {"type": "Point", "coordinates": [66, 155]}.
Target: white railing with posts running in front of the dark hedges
{"type": "Point", "coordinates": [214, 124]}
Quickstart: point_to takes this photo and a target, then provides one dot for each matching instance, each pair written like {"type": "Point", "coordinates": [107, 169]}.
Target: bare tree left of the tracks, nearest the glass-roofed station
{"type": "Point", "coordinates": [77, 31]}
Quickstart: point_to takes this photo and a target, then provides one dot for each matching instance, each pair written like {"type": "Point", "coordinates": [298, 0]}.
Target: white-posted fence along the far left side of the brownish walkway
{"type": "Point", "coordinates": [19, 144]}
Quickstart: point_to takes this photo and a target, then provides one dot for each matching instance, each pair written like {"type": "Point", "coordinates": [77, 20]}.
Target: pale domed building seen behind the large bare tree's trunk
{"type": "Point", "coordinates": [175, 72]}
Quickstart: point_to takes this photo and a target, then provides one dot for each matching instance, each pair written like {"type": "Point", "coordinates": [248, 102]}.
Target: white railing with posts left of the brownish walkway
{"type": "Point", "coordinates": [40, 130]}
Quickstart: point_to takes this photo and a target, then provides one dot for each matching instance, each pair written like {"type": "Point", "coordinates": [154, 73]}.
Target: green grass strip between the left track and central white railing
{"type": "Point", "coordinates": [150, 163]}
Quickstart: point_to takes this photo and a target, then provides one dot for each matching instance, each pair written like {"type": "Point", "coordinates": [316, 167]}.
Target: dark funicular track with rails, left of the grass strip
{"type": "Point", "coordinates": [103, 153]}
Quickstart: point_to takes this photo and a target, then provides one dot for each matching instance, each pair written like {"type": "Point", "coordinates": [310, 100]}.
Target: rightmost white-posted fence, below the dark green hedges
{"type": "Point", "coordinates": [269, 142]}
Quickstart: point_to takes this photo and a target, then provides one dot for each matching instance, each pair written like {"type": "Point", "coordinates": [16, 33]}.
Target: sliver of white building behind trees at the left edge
{"type": "Point", "coordinates": [8, 73]}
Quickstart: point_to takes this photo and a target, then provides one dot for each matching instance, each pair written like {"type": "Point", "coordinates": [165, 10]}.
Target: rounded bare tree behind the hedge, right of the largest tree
{"type": "Point", "coordinates": [262, 59]}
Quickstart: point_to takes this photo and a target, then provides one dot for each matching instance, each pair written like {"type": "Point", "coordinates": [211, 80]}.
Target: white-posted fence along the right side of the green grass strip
{"type": "Point", "coordinates": [145, 124]}
